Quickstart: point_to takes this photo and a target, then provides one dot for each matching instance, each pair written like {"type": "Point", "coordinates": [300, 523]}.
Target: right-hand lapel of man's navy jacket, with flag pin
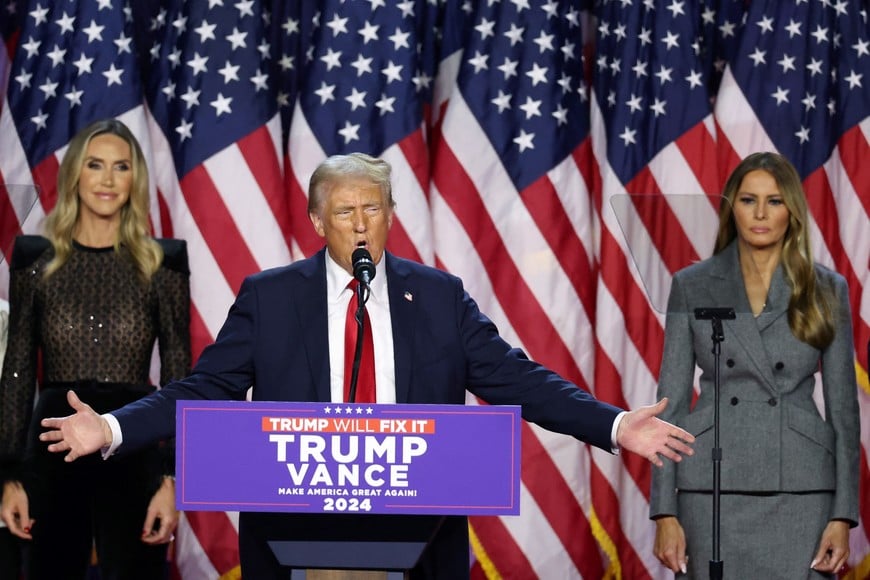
{"type": "Point", "coordinates": [403, 313]}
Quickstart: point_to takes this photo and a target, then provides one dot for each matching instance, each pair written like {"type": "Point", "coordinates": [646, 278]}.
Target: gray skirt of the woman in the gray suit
{"type": "Point", "coordinates": [768, 536]}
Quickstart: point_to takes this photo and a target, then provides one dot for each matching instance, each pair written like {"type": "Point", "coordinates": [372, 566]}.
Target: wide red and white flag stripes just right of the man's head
{"type": "Point", "coordinates": [526, 256]}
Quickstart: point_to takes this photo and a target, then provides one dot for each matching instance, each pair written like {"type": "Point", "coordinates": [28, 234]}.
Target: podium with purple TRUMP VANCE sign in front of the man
{"type": "Point", "coordinates": [367, 488]}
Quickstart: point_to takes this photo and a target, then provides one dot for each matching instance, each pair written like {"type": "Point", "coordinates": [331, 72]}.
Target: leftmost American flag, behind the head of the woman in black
{"type": "Point", "coordinates": [71, 64]}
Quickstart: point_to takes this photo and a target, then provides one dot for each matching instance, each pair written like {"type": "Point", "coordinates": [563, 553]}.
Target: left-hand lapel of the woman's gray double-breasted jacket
{"type": "Point", "coordinates": [727, 289]}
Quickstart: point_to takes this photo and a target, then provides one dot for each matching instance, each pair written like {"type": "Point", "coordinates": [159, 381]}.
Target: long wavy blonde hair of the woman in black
{"type": "Point", "coordinates": [134, 233]}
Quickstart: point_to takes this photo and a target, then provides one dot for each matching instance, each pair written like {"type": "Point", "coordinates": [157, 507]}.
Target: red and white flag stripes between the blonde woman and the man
{"type": "Point", "coordinates": [232, 212]}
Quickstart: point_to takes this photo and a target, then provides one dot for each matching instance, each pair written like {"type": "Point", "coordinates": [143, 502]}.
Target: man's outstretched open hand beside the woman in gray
{"type": "Point", "coordinates": [642, 432]}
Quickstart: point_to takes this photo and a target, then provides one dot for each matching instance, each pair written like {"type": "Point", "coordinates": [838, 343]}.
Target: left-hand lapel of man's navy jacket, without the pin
{"type": "Point", "coordinates": [311, 309]}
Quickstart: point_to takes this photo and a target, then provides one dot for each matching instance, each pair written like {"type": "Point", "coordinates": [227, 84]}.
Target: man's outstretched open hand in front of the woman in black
{"type": "Point", "coordinates": [81, 433]}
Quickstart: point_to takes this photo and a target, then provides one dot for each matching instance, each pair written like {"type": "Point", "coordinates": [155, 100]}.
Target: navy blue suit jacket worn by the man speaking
{"type": "Point", "coordinates": [275, 339]}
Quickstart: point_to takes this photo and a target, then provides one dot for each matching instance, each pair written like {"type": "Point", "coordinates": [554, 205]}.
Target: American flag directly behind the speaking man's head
{"type": "Point", "coordinates": [367, 70]}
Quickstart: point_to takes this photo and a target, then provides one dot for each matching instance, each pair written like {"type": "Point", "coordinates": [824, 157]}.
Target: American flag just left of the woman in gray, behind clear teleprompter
{"type": "Point", "coordinates": [654, 147]}
